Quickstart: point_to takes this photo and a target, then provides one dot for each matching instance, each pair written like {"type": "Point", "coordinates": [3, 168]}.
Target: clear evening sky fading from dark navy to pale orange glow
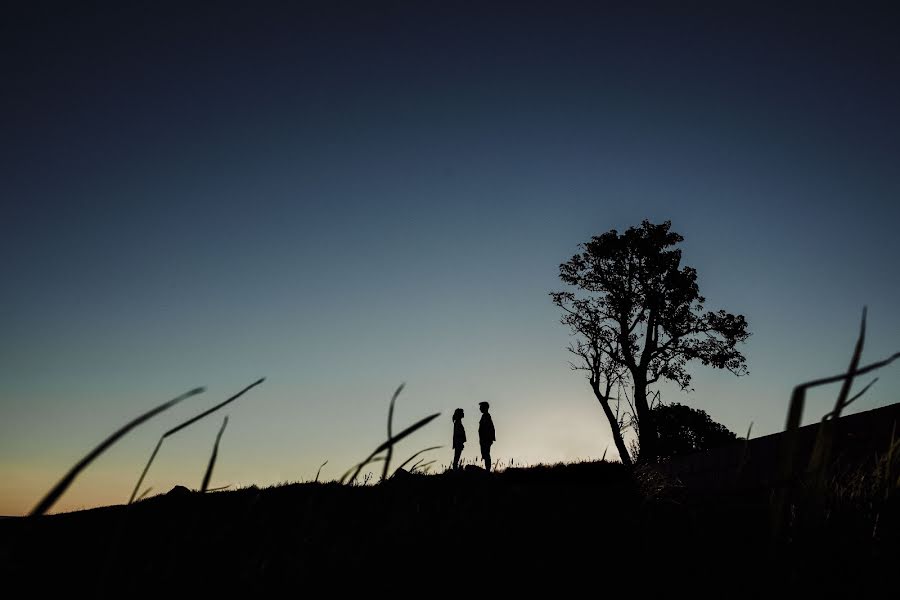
{"type": "Point", "coordinates": [343, 197]}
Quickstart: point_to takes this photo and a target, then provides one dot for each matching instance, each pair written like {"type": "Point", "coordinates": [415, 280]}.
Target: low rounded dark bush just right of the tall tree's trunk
{"type": "Point", "coordinates": [683, 430]}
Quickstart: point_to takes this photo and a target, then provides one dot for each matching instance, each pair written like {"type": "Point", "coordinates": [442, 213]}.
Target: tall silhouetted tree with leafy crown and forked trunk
{"type": "Point", "coordinates": [638, 314]}
